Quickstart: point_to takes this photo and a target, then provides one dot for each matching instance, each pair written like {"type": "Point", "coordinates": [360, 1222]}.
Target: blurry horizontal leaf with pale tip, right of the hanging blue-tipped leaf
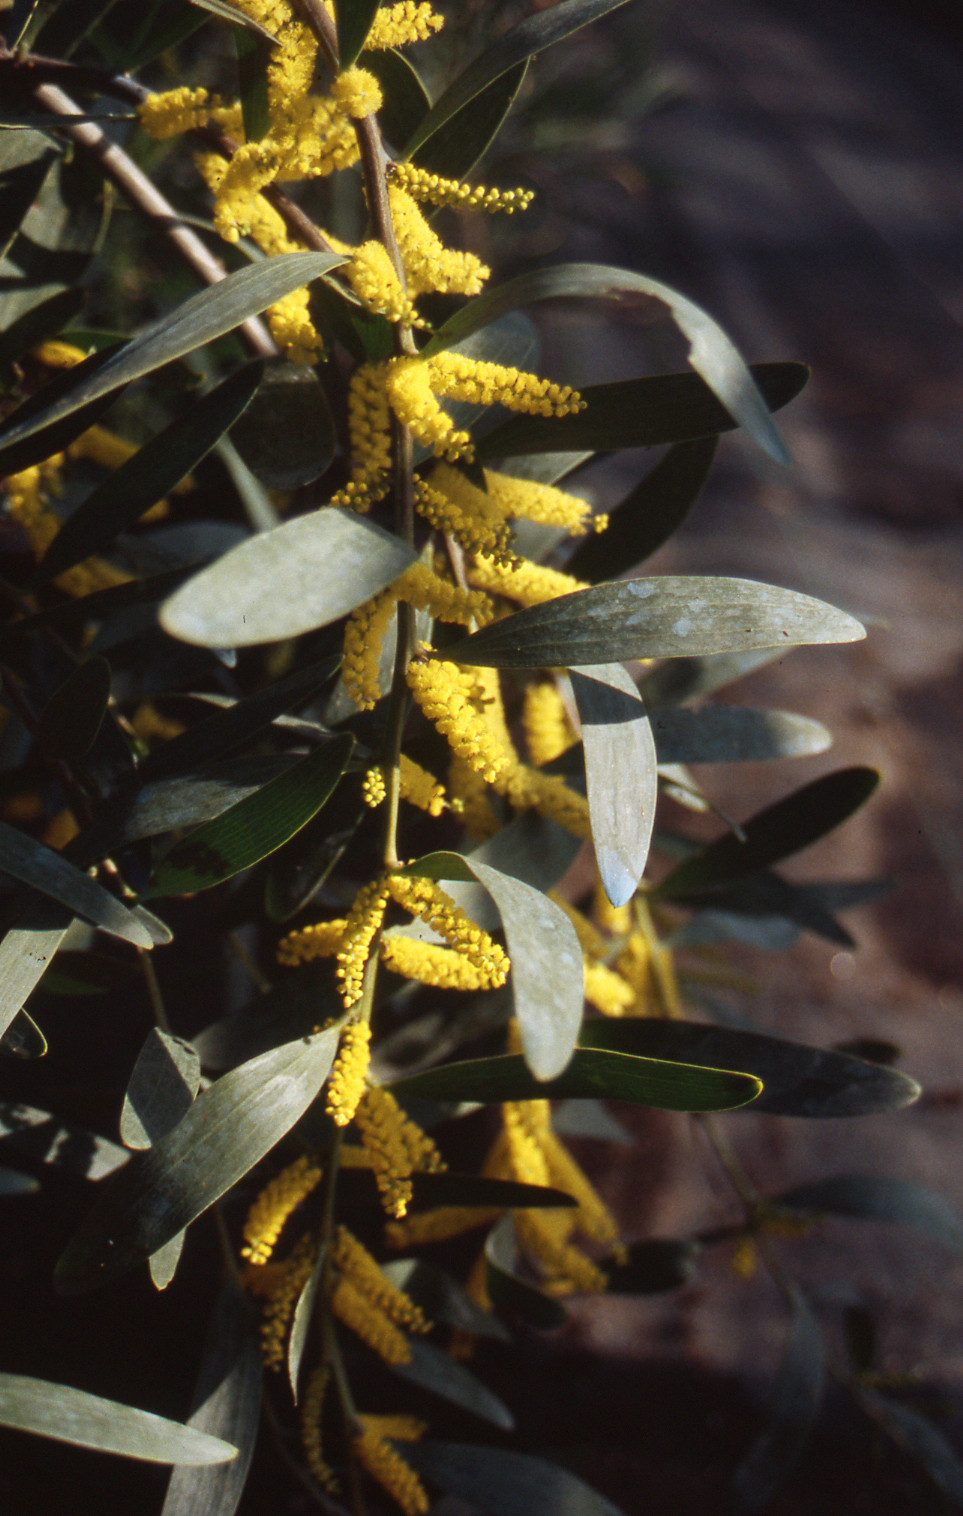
{"type": "Point", "coordinates": [735, 735]}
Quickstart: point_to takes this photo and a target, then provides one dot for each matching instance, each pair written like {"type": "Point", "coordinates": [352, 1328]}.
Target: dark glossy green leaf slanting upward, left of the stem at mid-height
{"type": "Point", "coordinates": [253, 828]}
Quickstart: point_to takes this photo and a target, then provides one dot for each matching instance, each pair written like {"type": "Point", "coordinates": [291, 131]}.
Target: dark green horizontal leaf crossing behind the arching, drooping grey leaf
{"type": "Point", "coordinates": [638, 413]}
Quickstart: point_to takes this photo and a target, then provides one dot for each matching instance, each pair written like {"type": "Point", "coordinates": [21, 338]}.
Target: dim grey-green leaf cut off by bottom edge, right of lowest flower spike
{"type": "Point", "coordinates": [503, 1483]}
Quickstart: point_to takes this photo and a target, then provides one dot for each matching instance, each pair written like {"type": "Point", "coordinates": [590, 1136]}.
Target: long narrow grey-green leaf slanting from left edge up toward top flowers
{"type": "Point", "coordinates": [210, 315]}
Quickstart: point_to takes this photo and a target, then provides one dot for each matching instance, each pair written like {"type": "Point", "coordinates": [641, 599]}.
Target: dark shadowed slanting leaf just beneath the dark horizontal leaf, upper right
{"type": "Point", "coordinates": [648, 516]}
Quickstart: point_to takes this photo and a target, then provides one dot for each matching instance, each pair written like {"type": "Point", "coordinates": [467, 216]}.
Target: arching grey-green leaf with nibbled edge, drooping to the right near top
{"type": "Point", "coordinates": [712, 354]}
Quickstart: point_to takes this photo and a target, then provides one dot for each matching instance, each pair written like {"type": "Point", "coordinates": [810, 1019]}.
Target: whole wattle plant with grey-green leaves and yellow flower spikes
{"type": "Point", "coordinates": [307, 647]}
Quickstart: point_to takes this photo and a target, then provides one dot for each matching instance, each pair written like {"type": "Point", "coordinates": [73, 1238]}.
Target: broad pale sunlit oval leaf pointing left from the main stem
{"type": "Point", "coordinates": [300, 577]}
